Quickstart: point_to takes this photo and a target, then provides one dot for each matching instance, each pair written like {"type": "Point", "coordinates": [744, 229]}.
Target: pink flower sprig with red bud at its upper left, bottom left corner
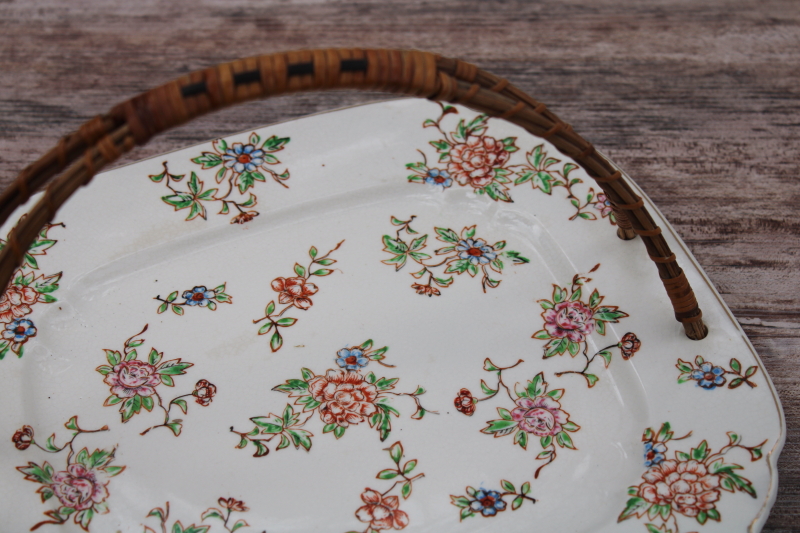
{"type": "Point", "coordinates": [81, 489]}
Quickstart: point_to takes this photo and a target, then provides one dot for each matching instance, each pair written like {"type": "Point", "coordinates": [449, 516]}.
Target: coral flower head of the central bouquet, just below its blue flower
{"type": "Point", "coordinates": [345, 397]}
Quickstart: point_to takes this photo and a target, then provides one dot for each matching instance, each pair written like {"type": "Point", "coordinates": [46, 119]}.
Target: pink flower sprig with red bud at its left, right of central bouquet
{"type": "Point", "coordinates": [537, 412]}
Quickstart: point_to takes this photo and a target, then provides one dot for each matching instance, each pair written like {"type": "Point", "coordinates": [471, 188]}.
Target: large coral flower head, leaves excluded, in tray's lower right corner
{"type": "Point", "coordinates": [686, 485]}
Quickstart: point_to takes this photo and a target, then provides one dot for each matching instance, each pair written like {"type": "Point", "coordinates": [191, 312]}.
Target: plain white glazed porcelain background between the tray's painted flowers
{"type": "Point", "coordinates": [121, 246]}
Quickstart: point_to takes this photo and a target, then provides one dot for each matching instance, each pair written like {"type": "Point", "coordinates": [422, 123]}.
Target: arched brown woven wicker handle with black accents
{"type": "Point", "coordinates": [105, 138]}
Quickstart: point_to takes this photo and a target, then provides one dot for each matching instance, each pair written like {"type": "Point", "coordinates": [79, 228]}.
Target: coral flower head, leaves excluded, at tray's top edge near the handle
{"type": "Point", "coordinates": [473, 162]}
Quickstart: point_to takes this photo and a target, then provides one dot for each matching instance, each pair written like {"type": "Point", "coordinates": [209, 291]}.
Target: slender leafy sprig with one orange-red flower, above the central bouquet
{"type": "Point", "coordinates": [294, 292]}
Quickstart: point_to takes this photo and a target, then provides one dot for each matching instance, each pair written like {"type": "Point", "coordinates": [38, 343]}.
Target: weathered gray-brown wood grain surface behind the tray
{"type": "Point", "coordinates": [698, 101]}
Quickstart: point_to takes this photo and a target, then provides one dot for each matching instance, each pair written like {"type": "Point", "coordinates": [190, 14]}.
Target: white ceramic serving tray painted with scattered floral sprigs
{"type": "Point", "coordinates": [395, 316]}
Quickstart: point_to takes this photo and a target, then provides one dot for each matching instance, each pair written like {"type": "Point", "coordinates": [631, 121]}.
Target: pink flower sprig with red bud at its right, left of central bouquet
{"type": "Point", "coordinates": [134, 383]}
